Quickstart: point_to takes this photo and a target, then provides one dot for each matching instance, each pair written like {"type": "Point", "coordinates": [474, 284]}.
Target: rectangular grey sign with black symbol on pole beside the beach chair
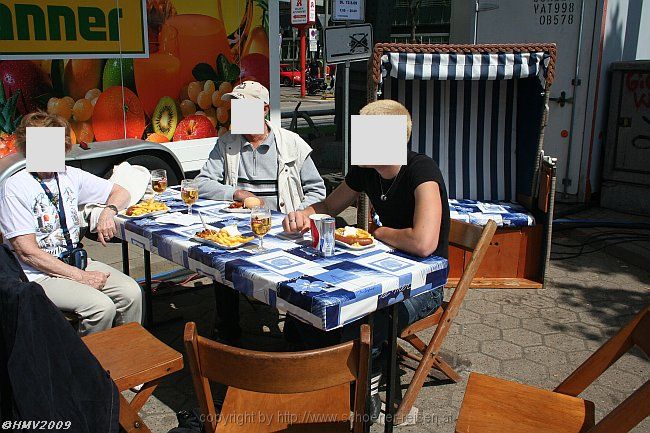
{"type": "Point", "coordinates": [348, 43]}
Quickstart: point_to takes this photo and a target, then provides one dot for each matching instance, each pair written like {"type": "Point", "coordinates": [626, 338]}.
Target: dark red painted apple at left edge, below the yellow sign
{"type": "Point", "coordinates": [30, 79]}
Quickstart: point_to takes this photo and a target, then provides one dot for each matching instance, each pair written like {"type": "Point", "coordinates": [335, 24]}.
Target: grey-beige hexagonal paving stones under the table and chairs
{"type": "Point", "coordinates": [535, 337]}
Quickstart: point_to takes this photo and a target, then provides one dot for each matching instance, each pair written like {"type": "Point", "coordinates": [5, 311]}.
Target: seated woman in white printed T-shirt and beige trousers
{"type": "Point", "coordinates": [40, 221]}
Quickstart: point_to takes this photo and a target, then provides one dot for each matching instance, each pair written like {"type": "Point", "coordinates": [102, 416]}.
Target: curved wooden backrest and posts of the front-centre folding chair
{"type": "Point", "coordinates": [276, 373]}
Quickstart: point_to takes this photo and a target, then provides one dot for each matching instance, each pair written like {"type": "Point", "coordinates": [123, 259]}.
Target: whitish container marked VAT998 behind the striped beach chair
{"type": "Point", "coordinates": [590, 35]}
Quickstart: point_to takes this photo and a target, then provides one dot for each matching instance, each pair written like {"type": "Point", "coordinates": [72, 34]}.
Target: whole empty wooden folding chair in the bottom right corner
{"type": "Point", "coordinates": [495, 405]}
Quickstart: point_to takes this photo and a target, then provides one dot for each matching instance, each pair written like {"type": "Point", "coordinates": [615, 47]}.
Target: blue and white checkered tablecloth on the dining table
{"type": "Point", "coordinates": [325, 292]}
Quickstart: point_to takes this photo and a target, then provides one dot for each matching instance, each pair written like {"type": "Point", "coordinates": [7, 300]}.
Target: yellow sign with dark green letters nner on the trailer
{"type": "Point", "coordinates": [72, 29]}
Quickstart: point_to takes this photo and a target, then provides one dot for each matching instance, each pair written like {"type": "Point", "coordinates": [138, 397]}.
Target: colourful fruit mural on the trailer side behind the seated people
{"type": "Point", "coordinates": [197, 50]}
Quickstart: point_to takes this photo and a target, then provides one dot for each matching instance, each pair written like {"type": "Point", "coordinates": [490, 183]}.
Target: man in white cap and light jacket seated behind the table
{"type": "Point", "coordinates": [274, 166]}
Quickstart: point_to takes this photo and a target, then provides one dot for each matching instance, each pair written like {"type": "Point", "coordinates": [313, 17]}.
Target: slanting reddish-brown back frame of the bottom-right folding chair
{"type": "Point", "coordinates": [635, 408]}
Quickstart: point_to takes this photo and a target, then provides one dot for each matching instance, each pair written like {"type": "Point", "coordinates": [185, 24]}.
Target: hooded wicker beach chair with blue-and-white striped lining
{"type": "Point", "coordinates": [480, 111]}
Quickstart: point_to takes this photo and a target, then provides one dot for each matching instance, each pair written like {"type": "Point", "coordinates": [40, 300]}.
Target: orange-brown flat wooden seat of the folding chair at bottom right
{"type": "Point", "coordinates": [494, 405]}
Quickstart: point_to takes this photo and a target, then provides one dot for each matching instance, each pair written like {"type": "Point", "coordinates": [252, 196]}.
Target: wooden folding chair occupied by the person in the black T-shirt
{"type": "Point", "coordinates": [471, 238]}
